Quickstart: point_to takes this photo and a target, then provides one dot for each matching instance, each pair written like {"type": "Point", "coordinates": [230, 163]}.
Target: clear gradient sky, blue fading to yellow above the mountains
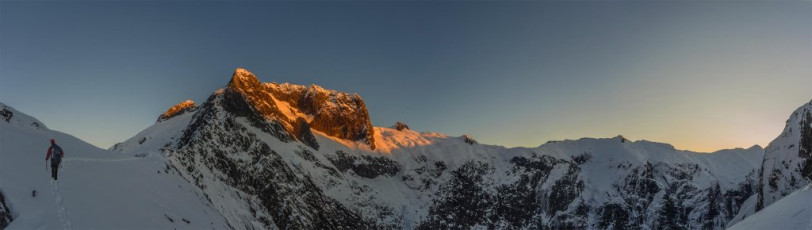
{"type": "Point", "coordinates": [702, 75]}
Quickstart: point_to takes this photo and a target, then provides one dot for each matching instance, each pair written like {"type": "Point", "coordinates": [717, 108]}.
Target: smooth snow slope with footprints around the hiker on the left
{"type": "Point", "coordinates": [97, 189]}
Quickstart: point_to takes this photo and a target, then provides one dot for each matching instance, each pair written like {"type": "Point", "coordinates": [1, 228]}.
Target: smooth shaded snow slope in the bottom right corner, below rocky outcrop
{"type": "Point", "coordinates": [791, 212]}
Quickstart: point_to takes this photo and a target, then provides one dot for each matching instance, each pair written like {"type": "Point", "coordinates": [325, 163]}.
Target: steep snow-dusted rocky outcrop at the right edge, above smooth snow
{"type": "Point", "coordinates": [787, 164]}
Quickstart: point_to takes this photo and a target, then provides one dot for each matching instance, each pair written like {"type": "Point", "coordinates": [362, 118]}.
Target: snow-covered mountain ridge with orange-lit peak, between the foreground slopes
{"type": "Point", "coordinates": [269, 155]}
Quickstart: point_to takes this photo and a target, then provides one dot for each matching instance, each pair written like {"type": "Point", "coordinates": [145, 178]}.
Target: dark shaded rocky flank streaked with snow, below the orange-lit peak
{"type": "Point", "coordinates": [227, 152]}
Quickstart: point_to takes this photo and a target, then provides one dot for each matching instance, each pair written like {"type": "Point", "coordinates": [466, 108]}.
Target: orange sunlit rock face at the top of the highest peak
{"type": "Point", "coordinates": [337, 114]}
